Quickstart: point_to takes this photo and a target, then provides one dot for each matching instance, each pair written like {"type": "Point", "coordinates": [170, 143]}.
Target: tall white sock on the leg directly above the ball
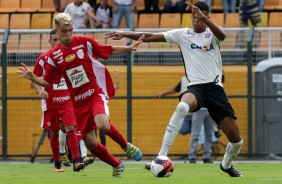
{"type": "Point", "coordinates": [173, 127]}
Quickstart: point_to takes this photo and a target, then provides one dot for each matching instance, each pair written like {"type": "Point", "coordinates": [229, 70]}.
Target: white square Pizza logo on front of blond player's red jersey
{"type": "Point", "coordinates": [77, 76]}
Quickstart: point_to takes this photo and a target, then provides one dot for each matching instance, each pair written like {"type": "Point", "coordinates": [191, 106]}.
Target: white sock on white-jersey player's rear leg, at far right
{"type": "Point", "coordinates": [231, 152]}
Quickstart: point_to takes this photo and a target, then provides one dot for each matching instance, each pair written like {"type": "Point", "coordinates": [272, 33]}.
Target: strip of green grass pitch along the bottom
{"type": "Point", "coordinates": [26, 173]}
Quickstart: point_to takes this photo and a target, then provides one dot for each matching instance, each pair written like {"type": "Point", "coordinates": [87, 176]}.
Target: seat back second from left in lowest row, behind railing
{"type": "Point", "coordinates": [30, 42]}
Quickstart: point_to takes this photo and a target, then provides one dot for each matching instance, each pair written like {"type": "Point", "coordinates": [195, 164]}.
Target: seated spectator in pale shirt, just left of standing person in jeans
{"type": "Point", "coordinates": [104, 14]}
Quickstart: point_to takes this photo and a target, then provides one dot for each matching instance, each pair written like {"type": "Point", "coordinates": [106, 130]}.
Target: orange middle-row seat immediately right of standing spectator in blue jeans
{"type": "Point", "coordinates": [150, 20]}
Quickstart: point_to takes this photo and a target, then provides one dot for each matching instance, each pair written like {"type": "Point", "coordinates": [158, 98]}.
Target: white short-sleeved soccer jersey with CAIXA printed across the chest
{"type": "Point", "coordinates": [201, 54]}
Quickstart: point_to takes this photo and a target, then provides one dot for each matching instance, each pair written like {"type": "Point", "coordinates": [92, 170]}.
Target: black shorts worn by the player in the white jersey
{"type": "Point", "coordinates": [212, 97]}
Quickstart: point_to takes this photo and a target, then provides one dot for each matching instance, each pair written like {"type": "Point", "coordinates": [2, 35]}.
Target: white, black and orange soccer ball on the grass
{"type": "Point", "coordinates": [162, 166]}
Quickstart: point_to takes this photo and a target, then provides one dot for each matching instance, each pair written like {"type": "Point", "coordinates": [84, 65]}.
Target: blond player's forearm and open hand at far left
{"type": "Point", "coordinates": [25, 72]}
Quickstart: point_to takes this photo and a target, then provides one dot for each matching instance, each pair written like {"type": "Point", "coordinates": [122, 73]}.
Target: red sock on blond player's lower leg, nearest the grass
{"type": "Point", "coordinates": [103, 154]}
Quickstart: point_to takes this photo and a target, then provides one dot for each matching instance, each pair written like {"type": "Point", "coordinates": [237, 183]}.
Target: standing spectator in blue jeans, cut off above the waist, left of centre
{"type": "Point", "coordinates": [124, 8]}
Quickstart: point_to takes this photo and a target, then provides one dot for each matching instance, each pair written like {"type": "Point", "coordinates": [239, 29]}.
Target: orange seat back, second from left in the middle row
{"type": "Point", "coordinates": [20, 21]}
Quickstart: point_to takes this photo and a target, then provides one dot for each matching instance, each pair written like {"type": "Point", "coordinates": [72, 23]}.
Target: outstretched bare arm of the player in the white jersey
{"type": "Point", "coordinates": [149, 37]}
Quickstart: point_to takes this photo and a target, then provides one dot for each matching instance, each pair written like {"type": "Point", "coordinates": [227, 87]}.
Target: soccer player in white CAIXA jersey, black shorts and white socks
{"type": "Point", "coordinates": [199, 46]}
